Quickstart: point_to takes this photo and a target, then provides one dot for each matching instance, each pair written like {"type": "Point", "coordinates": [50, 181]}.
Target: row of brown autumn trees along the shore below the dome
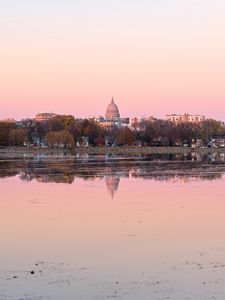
{"type": "Point", "coordinates": [65, 130]}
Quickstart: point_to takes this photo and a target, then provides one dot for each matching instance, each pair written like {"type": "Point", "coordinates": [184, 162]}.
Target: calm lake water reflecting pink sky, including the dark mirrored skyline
{"type": "Point", "coordinates": [96, 227]}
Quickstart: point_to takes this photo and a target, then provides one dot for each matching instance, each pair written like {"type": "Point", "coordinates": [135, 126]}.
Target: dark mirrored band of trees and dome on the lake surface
{"type": "Point", "coordinates": [185, 168]}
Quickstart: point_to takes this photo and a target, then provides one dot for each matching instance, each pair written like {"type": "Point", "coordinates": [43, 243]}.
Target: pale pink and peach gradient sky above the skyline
{"type": "Point", "coordinates": [70, 56]}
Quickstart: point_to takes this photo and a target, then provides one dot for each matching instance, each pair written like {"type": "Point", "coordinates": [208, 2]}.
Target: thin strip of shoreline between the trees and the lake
{"type": "Point", "coordinates": [25, 151]}
